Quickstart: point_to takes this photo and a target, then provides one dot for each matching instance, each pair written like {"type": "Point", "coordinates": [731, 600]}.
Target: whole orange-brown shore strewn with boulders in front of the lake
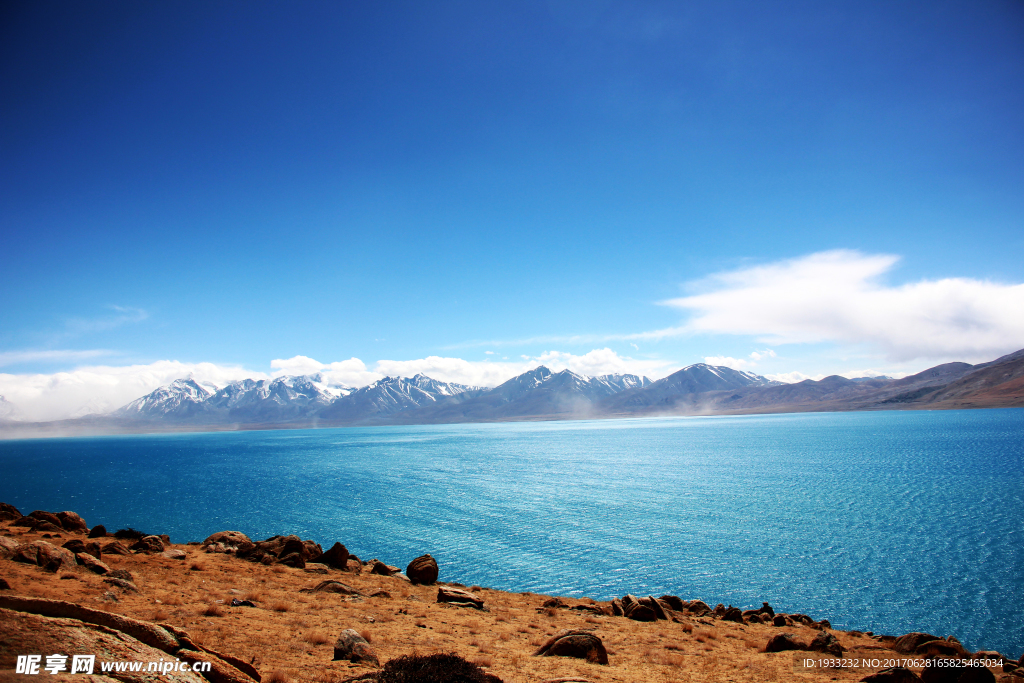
{"type": "Point", "coordinates": [284, 610]}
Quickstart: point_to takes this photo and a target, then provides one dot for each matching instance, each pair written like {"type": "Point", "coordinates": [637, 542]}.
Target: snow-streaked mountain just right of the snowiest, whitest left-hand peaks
{"type": "Point", "coordinates": [393, 395]}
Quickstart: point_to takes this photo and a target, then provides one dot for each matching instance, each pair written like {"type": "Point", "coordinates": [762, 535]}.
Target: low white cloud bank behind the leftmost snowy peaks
{"type": "Point", "coordinates": [104, 389]}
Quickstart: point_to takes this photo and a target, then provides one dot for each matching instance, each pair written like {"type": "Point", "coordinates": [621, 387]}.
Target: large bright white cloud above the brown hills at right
{"type": "Point", "coordinates": [837, 296]}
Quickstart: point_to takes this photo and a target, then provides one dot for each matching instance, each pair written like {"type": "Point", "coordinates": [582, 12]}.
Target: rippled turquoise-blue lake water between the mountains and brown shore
{"type": "Point", "coordinates": [890, 522]}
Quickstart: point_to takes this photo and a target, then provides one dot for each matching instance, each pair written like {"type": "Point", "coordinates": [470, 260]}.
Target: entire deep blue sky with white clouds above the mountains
{"type": "Point", "coordinates": [212, 188]}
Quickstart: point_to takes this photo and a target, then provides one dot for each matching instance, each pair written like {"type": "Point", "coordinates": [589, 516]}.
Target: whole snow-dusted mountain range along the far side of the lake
{"type": "Point", "coordinates": [308, 401]}
